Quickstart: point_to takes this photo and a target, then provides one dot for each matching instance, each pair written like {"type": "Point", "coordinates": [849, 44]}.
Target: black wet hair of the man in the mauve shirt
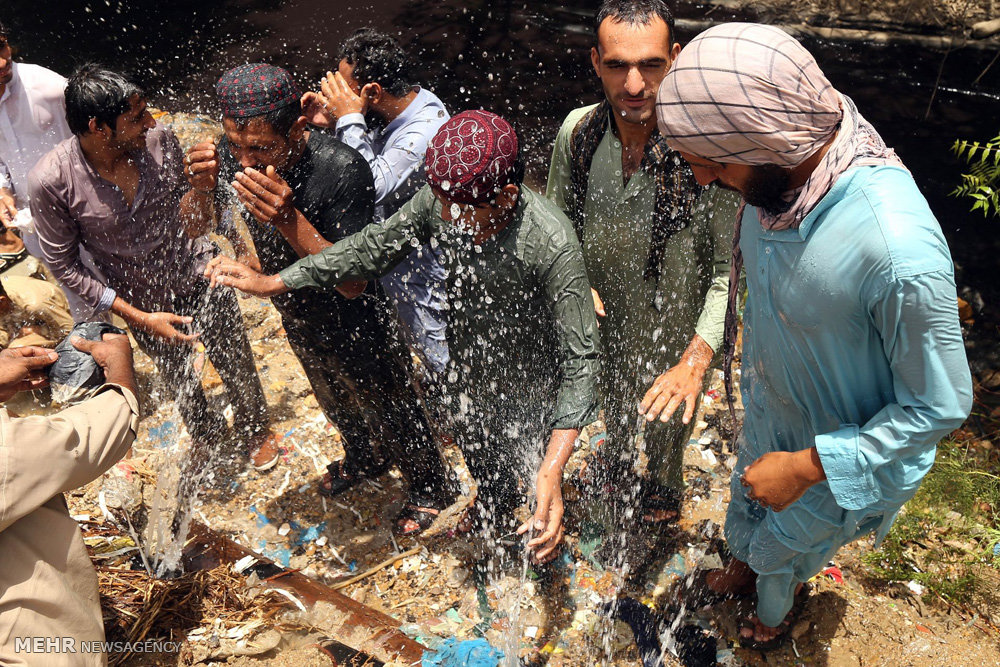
{"type": "Point", "coordinates": [98, 93]}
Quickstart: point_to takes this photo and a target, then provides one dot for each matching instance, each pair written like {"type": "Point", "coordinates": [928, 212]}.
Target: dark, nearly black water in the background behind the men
{"type": "Point", "coordinates": [527, 61]}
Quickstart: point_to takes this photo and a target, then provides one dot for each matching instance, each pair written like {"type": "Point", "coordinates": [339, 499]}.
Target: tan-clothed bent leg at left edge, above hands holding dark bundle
{"type": "Point", "coordinates": [32, 312]}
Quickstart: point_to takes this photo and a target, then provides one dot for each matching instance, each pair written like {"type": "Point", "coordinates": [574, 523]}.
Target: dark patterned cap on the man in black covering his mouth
{"type": "Point", "coordinates": [256, 89]}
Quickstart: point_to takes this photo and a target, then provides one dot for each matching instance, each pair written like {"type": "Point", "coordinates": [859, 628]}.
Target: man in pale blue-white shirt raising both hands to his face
{"type": "Point", "coordinates": [376, 110]}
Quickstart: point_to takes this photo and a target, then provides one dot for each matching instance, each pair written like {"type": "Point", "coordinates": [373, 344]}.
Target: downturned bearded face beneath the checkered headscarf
{"type": "Point", "coordinates": [762, 186]}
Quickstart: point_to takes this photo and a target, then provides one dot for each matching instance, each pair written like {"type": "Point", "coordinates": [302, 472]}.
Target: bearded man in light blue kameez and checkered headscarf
{"type": "Point", "coordinates": [853, 361]}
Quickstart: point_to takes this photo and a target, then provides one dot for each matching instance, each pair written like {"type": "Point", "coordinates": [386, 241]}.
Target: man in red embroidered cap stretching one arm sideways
{"type": "Point", "coordinates": [521, 331]}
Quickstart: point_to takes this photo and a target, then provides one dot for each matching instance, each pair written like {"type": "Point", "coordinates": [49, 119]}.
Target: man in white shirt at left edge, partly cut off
{"type": "Point", "coordinates": [32, 122]}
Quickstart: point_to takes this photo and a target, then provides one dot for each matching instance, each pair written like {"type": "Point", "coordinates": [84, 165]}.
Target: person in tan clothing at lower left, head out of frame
{"type": "Point", "coordinates": [49, 603]}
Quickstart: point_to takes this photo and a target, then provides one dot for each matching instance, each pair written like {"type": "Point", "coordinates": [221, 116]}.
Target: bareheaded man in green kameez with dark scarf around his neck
{"type": "Point", "coordinates": [656, 247]}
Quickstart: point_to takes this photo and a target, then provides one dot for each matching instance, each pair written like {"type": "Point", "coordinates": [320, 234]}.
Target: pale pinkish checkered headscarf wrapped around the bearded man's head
{"type": "Point", "coordinates": [744, 93]}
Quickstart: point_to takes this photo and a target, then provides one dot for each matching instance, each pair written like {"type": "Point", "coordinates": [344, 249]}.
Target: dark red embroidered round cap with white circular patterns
{"type": "Point", "coordinates": [471, 157]}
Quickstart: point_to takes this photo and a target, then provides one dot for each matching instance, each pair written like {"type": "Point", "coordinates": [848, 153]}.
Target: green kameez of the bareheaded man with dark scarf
{"type": "Point", "coordinates": [648, 325]}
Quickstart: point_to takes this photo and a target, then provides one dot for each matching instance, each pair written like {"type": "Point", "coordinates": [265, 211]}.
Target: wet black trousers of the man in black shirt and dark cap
{"type": "Point", "coordinates": [362, 387]}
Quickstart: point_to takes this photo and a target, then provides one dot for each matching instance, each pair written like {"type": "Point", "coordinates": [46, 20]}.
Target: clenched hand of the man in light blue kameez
{"type": "Point", "coordinates": [778, 479]}
